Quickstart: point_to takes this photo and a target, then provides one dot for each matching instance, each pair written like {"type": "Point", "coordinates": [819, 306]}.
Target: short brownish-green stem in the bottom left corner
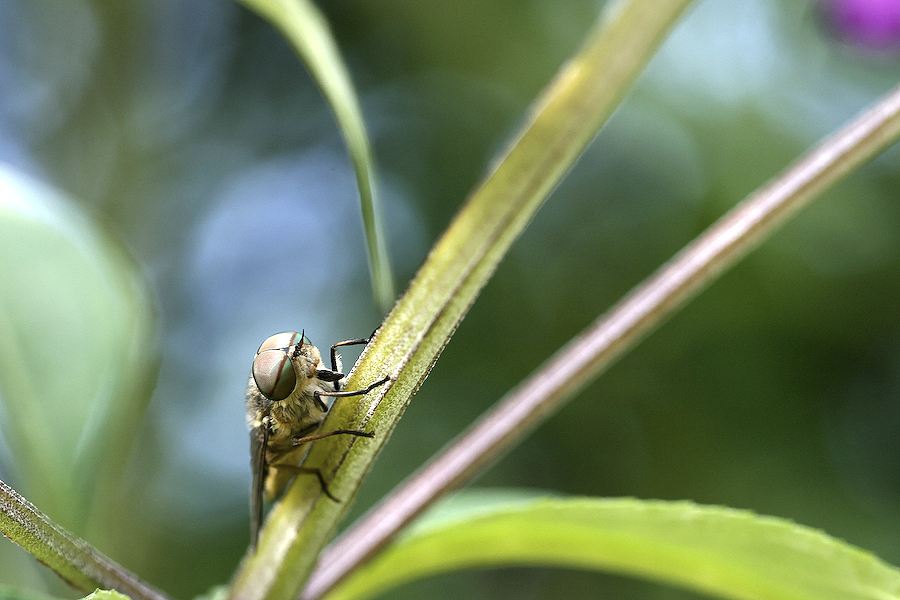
{"type": "Point", "coordinates": [77, 562]}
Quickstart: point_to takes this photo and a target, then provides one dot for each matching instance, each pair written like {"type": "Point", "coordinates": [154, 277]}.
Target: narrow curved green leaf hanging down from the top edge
{"type": "Point", "coordinates": [304, 26]}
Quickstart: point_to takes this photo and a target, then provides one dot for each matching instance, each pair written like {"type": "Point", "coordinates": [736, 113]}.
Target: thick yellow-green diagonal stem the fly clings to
{"type": "Point", "coordinates": [563, 121]}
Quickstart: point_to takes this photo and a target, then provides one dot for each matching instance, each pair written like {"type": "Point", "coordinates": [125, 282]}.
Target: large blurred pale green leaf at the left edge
{"type": "Point", "coordinates": [77, 348]}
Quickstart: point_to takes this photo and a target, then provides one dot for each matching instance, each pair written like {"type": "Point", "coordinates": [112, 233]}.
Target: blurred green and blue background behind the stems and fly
{"type": "Point", "coordinates": [187, 142]}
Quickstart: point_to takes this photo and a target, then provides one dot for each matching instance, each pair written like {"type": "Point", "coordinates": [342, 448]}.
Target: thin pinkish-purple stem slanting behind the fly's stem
{"type": "Point", "coordinates": [613, 334]}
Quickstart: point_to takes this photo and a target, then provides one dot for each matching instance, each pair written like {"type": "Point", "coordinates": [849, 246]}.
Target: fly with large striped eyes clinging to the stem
{"type": "Point", "coordinates": [285, 410]}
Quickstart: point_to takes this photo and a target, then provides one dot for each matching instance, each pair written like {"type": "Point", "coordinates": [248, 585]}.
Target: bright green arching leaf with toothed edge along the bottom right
{"type": "Point", "coordinates": [720, 551]}
